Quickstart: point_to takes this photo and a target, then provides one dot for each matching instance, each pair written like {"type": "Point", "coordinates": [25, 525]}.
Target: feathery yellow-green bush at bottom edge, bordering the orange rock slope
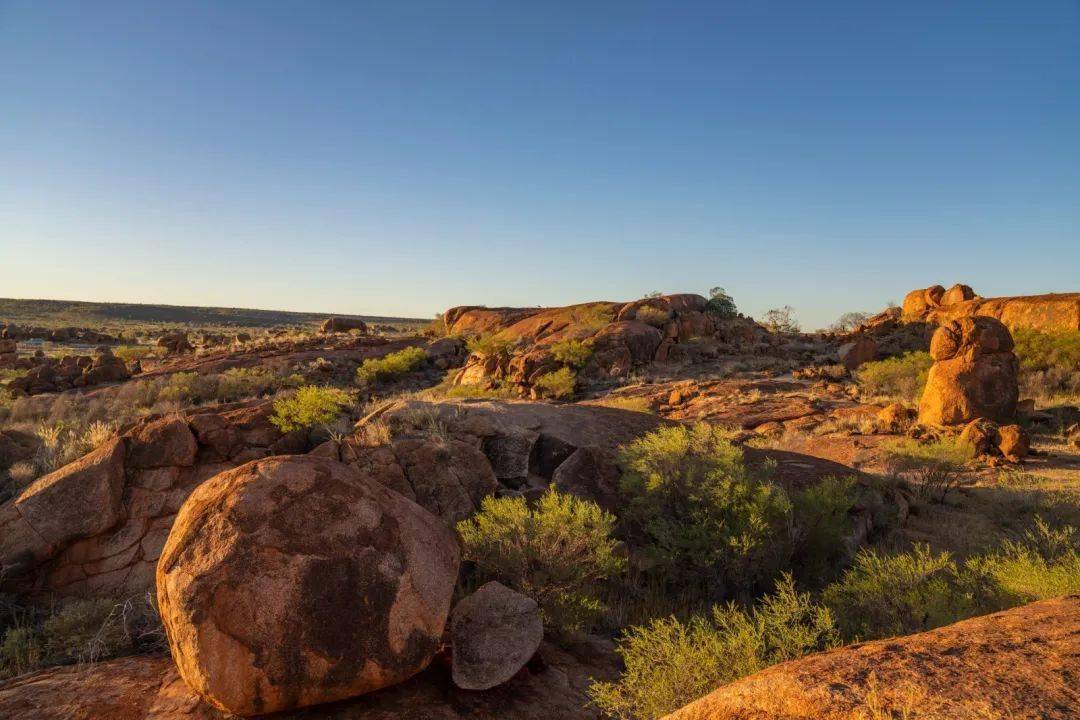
{"type": "Point", "coordinates": [671, 663]}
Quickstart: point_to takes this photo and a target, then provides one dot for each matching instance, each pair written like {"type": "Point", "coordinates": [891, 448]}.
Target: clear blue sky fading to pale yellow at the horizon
{"type": "Point", "coordinates": [399, 158]}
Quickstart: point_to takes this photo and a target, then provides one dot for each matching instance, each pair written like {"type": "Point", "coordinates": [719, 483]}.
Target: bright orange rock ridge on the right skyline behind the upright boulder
{"type": "Point", "coordinates": [1057, 313]}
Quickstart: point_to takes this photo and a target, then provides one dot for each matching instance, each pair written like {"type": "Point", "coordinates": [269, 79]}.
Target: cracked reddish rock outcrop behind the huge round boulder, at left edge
{"type": "Point", "coordinates": [97, 527]}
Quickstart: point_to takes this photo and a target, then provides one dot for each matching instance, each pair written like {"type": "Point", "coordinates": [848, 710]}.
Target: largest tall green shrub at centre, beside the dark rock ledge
{"type": "Point", "coordinates": [694, 505]}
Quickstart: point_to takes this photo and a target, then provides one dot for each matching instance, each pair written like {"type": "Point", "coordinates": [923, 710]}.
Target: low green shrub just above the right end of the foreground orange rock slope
{"type": "Point", "coordinates": [887, 595]}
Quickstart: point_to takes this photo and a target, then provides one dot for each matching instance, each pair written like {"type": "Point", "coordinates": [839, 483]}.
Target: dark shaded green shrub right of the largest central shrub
{"type": "Point", "coordinates": [821, 522]}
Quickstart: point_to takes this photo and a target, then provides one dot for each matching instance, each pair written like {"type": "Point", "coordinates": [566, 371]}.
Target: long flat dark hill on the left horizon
{"type": "Point", "coordinates": [58, 314]}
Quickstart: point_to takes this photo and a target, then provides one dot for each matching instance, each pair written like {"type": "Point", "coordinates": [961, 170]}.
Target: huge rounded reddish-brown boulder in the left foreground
{"type": "Point", "coordinates": [294, 581]}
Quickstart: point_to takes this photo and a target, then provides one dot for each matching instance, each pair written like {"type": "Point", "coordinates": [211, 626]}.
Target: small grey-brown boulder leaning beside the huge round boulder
{"type": "Point", "coordinates": [494, 633]}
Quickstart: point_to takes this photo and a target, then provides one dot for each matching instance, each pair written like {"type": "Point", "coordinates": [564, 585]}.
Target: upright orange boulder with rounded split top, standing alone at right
{"type": "Point", "coordinates": [975, 374]}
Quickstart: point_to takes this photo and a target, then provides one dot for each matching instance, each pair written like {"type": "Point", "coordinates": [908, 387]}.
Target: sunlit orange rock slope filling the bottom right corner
{"type": "Point", "coordinates": [1015, 664]}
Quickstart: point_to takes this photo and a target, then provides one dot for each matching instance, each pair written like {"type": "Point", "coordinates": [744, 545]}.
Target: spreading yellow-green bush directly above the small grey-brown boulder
{"type": "Point", "coordinates": [557, 553]}
